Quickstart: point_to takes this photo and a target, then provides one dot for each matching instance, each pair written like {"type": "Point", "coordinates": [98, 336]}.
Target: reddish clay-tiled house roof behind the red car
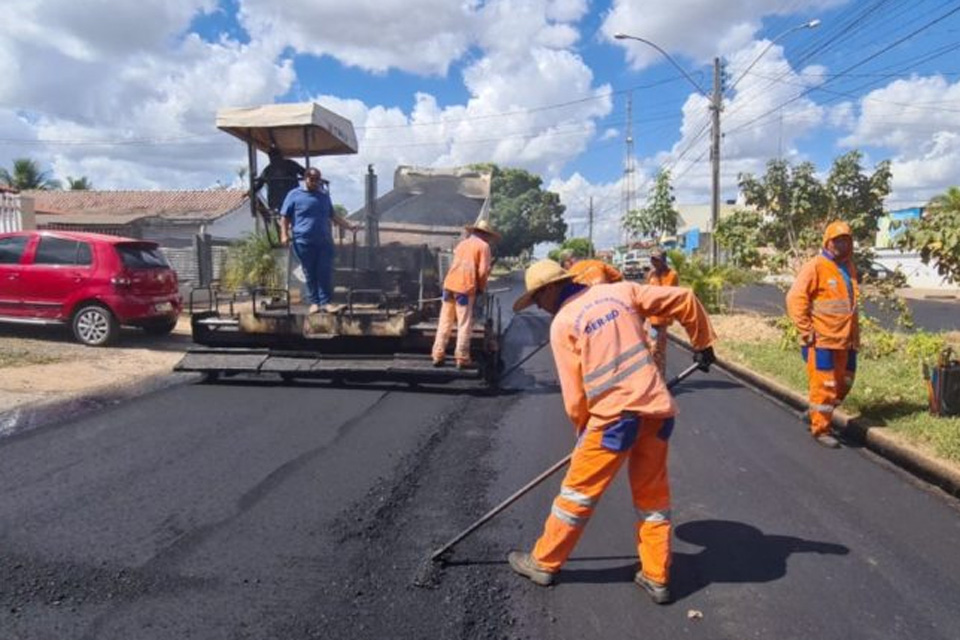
{"type": "Point", "coordinates": [122, 207]}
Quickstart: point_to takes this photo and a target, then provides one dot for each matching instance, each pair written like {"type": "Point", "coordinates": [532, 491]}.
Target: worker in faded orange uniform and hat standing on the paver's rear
{"type": "Point", "coordinates": [466, 279]}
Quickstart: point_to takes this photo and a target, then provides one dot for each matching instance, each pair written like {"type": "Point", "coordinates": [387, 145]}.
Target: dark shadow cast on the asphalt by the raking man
{"type": "Point", "coordinates": [733, 552]}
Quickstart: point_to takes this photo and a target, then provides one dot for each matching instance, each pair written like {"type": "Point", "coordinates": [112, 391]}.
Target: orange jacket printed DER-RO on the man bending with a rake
{"type": "Point", "coordinates": [600, 347]}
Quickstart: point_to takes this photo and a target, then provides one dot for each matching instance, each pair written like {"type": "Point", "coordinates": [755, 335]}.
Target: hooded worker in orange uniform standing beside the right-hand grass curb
{"type": "Point", "coordinates": [822, 303]}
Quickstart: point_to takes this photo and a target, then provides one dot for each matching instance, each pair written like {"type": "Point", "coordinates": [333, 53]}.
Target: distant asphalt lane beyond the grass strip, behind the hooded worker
{"type": "Point", "coordinates": [931, 315]}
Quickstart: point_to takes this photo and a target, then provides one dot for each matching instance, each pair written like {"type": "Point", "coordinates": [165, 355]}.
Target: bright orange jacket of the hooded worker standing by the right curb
{"type": "Point", "coordinates": [821, 303]}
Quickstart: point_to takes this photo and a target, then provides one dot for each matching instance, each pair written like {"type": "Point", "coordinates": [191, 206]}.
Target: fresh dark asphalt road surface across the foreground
{"type": "Point", "coordinates": [252, 510]}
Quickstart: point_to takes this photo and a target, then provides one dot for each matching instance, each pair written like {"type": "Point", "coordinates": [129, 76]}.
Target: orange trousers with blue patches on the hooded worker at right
{"type": "Point", "coordinates": [831, 373]}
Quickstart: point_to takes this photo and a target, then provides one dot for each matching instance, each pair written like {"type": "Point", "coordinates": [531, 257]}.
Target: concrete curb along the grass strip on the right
{"type": "Point", "coordinates": [851, 427]}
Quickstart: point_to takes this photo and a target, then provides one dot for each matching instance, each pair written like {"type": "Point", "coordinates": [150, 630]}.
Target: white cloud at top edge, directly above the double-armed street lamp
{"type": "Point", "coordinates": [698, 29]}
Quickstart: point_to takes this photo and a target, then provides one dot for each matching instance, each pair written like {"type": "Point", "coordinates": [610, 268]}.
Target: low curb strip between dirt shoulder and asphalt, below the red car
{"type": "Point", "coordinates": [34, 415]}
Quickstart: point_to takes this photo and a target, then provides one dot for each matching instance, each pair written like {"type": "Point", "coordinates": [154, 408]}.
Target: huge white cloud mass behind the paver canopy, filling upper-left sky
{"type": "Point", "coordinates": [136, 111]}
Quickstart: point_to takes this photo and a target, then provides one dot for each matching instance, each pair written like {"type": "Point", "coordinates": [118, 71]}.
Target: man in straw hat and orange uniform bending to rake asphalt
{"type": "Point", "coordinates": [620, 407]}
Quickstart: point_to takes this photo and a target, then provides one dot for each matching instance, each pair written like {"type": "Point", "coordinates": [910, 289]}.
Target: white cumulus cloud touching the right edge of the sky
{"type": "Point", "coordinates": [915, 118]}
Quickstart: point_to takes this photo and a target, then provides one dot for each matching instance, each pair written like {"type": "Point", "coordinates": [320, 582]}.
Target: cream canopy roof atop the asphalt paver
{"type": "Point", "coordinates": [298, 130]}
